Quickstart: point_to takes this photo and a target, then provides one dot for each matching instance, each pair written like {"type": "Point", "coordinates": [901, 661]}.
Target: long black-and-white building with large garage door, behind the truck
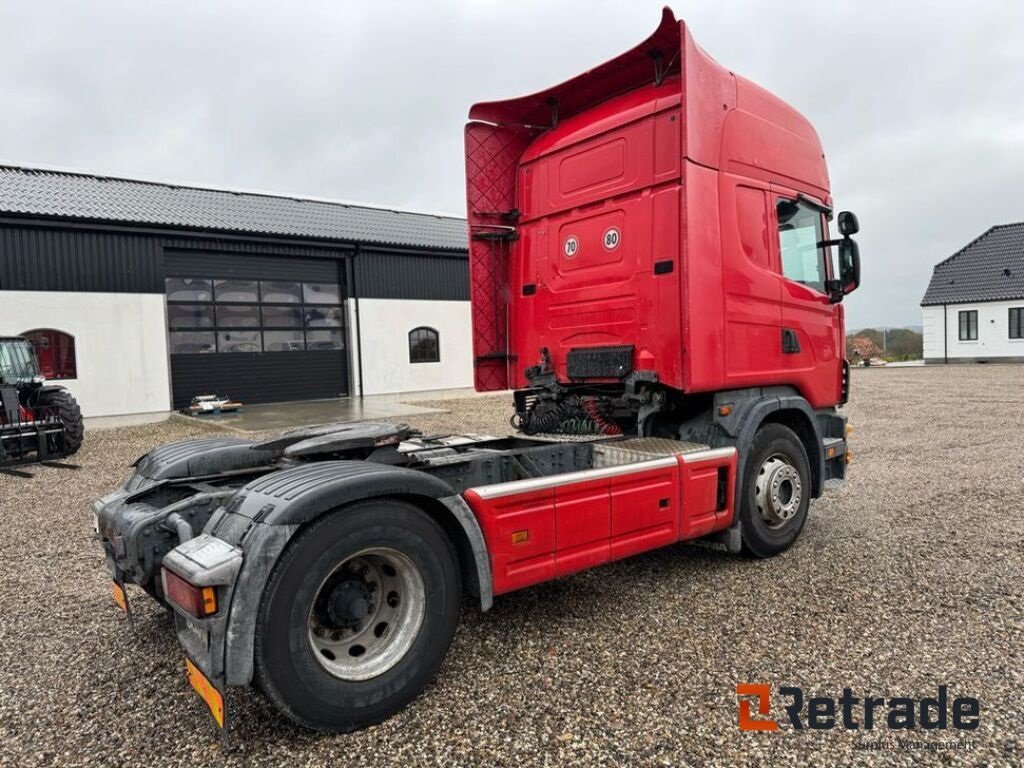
{"type": "Point", "coordinates": [141, 295]}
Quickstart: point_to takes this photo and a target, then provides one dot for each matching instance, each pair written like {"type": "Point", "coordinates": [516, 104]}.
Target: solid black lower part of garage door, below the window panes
{"type": "Point", "coordinates": [271, 377]}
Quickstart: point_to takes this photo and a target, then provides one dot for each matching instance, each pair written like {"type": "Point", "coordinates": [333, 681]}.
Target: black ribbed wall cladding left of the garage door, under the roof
{"type": "Point", "coordinates": [38, 260]}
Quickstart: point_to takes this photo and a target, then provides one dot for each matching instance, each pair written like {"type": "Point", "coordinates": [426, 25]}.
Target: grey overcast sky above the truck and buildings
{"type": "Point", "coordinates": [920, 107]}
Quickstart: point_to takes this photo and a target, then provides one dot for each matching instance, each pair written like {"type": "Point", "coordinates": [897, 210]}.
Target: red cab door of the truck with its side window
{"type": "Point", "coordinates": [812, 360]}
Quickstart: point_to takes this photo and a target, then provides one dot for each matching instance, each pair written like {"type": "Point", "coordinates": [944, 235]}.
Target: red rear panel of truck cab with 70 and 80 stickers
{"type": "Point", "coordinates": [598, 206]}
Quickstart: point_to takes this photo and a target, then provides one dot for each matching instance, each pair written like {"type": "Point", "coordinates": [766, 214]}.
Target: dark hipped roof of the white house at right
{"type": "Point", "coordinates": [989, 269]}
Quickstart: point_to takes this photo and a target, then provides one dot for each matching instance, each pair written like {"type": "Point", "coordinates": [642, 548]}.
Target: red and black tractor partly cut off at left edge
{"type": "Point", "coordinates": [38, 421]}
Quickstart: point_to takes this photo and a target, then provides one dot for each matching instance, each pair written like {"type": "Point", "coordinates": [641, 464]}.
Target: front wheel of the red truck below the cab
{"type": "Point", "coordinates": [776, 493]}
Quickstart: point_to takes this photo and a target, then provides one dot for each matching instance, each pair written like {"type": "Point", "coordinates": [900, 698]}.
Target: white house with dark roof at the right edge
{"type": "Point", "coordinates": [974, 307]}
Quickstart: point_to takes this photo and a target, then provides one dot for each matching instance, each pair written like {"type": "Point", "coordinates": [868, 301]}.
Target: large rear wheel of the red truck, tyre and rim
{"type": "Point", "coordinates": [358, 616]}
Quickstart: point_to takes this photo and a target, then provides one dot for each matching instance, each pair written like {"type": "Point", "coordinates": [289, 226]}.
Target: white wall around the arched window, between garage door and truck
{"type": "Point", "coordinates": [385, 326]}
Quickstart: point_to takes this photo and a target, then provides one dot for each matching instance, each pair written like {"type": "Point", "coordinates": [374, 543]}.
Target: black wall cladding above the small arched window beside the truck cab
{"type": "Point", "coordinates": [415, 276]}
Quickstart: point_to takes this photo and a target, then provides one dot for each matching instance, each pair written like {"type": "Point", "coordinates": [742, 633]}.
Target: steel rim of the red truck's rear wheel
{"type": "Point", "coordinates": [367, 614]}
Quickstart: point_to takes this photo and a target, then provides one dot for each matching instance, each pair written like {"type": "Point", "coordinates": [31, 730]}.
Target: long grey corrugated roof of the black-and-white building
{"type": "Point", "coordinates": [84, 197]}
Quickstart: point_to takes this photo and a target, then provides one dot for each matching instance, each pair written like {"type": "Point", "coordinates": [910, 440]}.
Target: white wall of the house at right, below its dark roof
{"type": "Point", "coordinates": [994, 332]}
